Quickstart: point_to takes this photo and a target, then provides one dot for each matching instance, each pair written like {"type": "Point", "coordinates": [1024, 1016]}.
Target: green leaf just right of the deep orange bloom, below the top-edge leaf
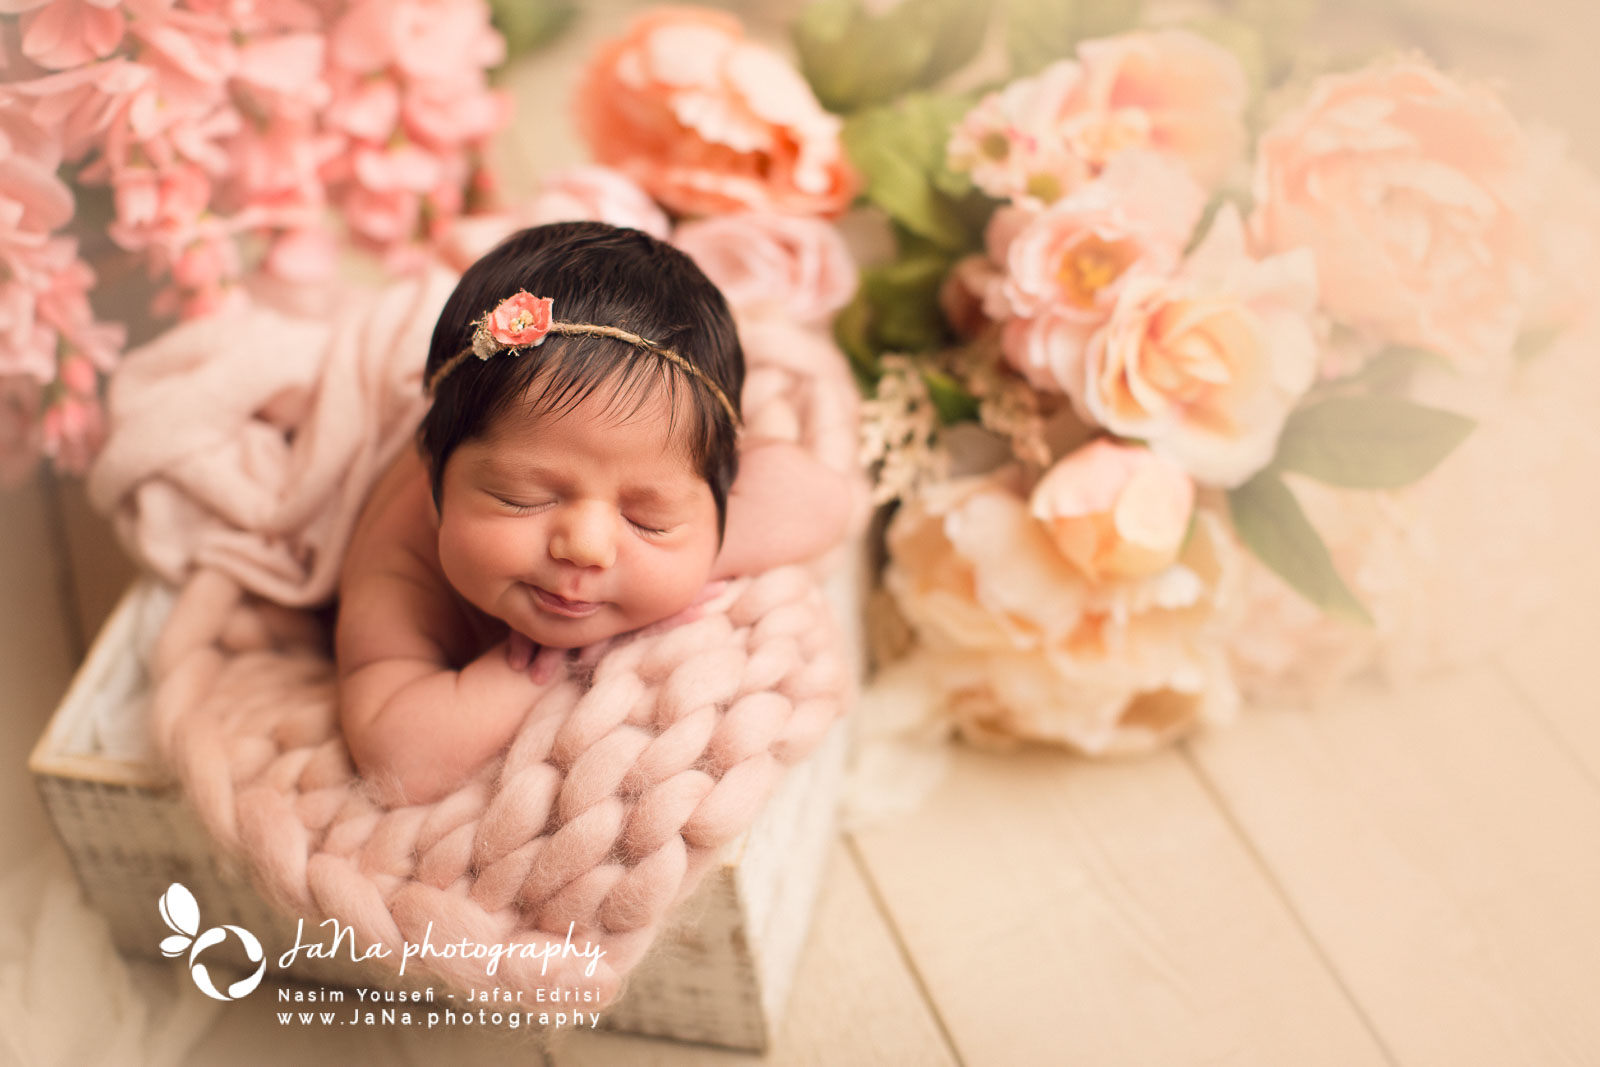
{"type": "Point", "coordinates": [900, 151]}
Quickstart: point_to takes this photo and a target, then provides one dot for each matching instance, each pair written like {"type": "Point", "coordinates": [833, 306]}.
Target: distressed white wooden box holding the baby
{"type": "Point", "coordinates": [719, 973]}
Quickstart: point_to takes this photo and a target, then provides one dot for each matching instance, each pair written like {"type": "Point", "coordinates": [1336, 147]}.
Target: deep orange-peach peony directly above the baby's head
{"type": "Point", "coordinates": [710, 122]}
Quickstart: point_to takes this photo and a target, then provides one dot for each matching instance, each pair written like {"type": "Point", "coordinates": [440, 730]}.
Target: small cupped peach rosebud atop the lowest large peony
{"type": "Point", "coordinates": [1116, 511]}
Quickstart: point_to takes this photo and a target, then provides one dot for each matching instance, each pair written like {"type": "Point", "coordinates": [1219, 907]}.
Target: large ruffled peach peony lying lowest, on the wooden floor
{"type": "Point", "coordinates": [1026, 649]}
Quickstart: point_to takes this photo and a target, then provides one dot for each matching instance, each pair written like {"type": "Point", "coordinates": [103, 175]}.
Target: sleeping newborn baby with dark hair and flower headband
{"type": "Point", "coordinates": [575, 482]}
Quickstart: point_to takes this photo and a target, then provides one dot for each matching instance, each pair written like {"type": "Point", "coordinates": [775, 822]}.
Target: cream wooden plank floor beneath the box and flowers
{"type": "Point", "coordinates": [1396, 879]}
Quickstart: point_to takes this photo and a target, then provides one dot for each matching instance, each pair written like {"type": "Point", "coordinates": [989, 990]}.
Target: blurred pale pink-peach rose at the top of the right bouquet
{"type": "Point", "coordinates": [1169, 90]}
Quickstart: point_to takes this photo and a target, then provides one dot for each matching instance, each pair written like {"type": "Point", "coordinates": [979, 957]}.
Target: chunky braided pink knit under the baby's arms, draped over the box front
{"type": "Point", "coordinates": [606, 812]}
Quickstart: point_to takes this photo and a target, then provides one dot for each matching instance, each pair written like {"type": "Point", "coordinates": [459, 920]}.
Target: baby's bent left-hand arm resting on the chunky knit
{"type": "Point", "coordinates": [415, 727]}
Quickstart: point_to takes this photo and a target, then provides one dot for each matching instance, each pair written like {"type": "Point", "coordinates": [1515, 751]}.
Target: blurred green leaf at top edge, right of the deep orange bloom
{"type": "Point", "coordinates": [855, 60]}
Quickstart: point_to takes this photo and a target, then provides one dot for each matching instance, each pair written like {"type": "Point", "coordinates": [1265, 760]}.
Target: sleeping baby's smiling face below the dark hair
{"type": "Point", "coordinates": [577, 527]}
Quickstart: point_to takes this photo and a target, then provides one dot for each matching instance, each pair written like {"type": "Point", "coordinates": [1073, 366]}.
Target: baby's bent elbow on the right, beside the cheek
{"type": "Point", "coordinates": [785, 508]}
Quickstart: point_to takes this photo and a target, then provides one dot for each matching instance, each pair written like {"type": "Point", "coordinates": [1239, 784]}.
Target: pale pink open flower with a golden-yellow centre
{"type": "Point", "coordinates": [1135, 217]}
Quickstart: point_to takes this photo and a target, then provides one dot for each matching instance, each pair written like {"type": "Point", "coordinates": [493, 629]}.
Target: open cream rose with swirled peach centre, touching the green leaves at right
{"type": "Point", "coordinates": [1207, 366]}
